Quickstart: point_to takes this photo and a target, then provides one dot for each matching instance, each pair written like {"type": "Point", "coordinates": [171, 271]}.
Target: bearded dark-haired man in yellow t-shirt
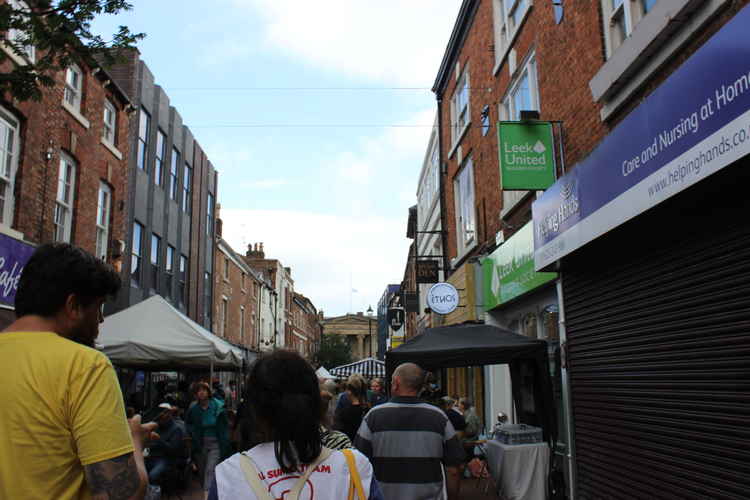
{"type": "Point", "coordinates": [64, 434]}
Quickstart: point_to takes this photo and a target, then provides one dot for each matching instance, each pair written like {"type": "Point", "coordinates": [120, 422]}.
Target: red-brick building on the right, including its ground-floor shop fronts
{"type": "Point", "coordinates": [614, 77]}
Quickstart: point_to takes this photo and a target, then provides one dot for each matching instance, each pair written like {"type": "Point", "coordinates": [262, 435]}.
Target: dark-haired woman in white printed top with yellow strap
{"type": "Point", "coordinates": [290, 462]}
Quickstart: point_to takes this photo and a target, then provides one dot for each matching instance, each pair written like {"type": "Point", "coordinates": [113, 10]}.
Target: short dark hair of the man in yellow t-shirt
{"type": "Point", "coordinates": [57, 270]}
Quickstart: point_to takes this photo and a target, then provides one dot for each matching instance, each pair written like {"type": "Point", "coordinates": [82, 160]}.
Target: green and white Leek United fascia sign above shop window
{"type": "Point", "coordinates": [509, 271]}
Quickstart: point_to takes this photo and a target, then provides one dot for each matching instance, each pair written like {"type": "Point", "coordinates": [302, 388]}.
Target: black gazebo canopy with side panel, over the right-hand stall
{"type": "Point", "coordinates": [475, 344]}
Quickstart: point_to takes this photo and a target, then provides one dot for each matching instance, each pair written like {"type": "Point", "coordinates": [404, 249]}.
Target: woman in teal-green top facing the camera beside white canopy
{"type": "Point", "coordinates": [208, 426]}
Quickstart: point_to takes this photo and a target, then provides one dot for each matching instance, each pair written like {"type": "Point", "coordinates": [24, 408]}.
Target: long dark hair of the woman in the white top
{"type": "Point", "coordinates": [282, 393]}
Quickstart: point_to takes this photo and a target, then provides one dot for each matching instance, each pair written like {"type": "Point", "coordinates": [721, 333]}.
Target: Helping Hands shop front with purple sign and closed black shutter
{"type": "Point", "coordinates": [651, 237]}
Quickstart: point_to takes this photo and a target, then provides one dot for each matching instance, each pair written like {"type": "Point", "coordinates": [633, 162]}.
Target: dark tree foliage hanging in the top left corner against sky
{"type": "Point", "coordinates": [60, 32]}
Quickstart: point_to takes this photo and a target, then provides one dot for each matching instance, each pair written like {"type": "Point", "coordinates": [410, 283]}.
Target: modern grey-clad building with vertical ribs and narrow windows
{"type": "Point", "coordinates": [171, 204]}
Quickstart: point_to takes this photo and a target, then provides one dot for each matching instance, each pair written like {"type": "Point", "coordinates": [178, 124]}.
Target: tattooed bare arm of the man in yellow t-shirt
{"type": "Point", "coordinates": [118, 478]}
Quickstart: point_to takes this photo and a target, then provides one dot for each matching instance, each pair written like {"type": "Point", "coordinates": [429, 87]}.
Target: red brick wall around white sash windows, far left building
{"type": "Point", "coordinates": [46, 125]}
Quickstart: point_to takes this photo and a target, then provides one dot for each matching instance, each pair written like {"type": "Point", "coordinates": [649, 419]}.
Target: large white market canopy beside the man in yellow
{"type": "Point", "coordinates": [153, 334]}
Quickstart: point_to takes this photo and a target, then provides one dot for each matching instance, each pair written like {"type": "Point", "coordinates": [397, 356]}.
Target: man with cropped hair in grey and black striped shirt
{"type": "Point", "coordinates": [409, 443]}
